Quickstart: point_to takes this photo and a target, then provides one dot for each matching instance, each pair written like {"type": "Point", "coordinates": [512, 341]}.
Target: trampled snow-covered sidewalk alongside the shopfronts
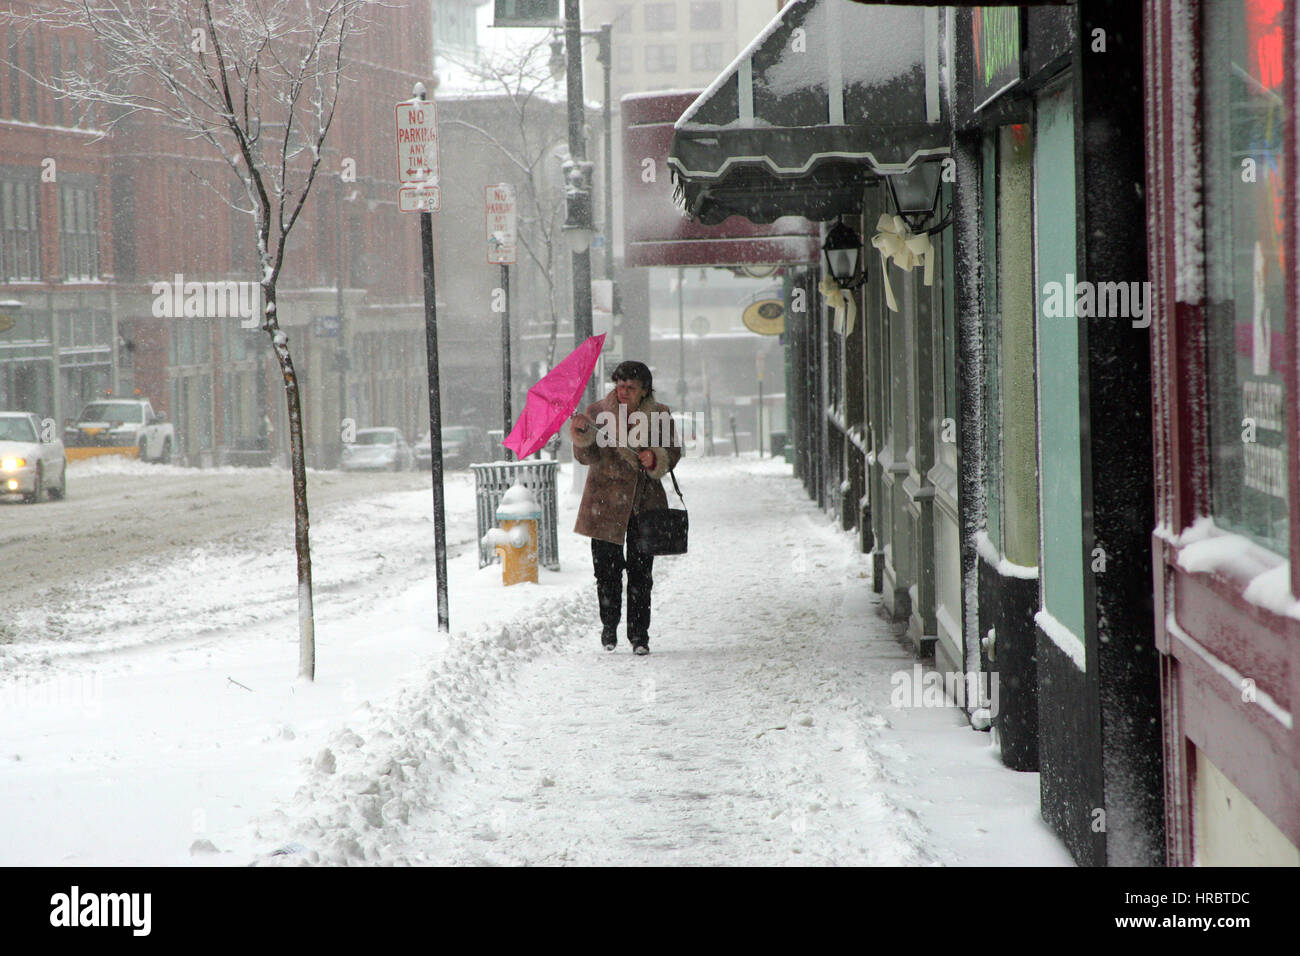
{"type": "Point", "coordinates": [760, 730]}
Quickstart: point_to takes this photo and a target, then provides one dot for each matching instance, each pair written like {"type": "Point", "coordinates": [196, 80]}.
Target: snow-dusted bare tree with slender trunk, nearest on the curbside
{"type": "Point", "coordinates": [258, 81]}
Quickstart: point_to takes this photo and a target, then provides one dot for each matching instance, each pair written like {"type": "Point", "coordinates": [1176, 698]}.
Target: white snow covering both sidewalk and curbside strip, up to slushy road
{"type": "Point", "coordinates": [760, 730]}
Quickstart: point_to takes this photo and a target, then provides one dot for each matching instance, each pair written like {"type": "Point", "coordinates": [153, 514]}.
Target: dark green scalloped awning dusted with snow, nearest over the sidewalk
{"type": "Point", "coordinates": [830, 97]}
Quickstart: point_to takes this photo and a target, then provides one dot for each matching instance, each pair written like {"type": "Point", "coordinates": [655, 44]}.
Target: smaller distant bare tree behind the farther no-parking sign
{"type": "Point", "coordinates": [527, 137]}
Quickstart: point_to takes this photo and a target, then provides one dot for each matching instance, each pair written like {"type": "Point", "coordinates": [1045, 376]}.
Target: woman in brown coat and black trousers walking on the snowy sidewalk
{"type": "Point", "coordinates": [630, 444]}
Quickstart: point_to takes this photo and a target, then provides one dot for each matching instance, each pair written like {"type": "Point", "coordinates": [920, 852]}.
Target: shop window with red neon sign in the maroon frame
{"type": "Point", "coordinates": [1246, 222]}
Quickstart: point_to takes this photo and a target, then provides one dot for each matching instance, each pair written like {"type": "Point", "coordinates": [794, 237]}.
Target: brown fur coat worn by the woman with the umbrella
{"type": "Point", "coordinates": [617, 486]}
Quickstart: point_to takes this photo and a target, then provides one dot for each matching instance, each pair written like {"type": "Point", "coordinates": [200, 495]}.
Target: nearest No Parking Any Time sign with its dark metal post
{"type": "Point", "coordinates": [418, 163]}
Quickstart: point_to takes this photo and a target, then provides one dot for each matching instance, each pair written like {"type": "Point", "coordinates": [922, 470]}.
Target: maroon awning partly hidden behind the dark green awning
{"type": "Point", "coordinates": [655, 230]}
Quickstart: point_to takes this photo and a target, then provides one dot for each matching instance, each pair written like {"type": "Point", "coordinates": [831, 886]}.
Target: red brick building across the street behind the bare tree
{"type": "Point", "coordinates": [90, 223]}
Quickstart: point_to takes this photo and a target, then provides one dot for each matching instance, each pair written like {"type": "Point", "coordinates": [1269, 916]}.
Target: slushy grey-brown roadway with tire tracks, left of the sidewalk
{"type": "Point", "coordinates": [146, 553]}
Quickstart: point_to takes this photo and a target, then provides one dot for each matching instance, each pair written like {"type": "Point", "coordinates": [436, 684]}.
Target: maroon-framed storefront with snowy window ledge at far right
{"type": "Point", "coordinates": [1223, 145]}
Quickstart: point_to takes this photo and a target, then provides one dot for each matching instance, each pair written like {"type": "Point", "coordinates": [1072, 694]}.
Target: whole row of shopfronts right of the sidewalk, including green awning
{"type": "Point", "coordinates": [1073, 378]}
